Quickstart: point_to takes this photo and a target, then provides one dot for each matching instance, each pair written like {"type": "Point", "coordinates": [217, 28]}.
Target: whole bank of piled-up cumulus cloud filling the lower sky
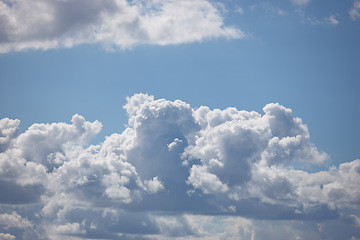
{"type": "Point", "coordinates": [175, 173]}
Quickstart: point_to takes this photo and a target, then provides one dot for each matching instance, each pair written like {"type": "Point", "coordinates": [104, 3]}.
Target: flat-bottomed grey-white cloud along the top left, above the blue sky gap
{"type": "Point", "coordinates": [46, 24]}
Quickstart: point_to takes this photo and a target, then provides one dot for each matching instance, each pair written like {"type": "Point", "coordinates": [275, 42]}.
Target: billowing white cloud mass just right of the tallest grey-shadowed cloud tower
{"type": "Point", "coordinates": [231, 141]}
